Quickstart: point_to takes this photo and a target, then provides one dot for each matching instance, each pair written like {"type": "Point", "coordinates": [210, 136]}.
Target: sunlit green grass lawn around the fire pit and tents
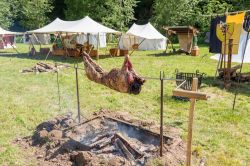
{"type": "Point", "coordinates": [221, 134]}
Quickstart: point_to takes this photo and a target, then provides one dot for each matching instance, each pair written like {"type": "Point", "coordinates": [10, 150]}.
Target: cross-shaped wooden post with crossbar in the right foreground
{"type": "Point", "coordinates": [193, 95]}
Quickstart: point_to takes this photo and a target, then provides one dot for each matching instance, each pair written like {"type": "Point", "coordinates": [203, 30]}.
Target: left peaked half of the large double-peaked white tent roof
{"type": "Point", "coordinates": [57, 25]}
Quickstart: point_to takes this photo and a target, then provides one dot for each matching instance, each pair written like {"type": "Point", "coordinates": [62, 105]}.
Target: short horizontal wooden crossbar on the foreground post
{"type": "Point", "coordinates": [190, 94]}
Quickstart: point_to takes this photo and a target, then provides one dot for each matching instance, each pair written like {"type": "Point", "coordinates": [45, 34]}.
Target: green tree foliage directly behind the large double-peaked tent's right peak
{"type": "Point", "coordinates": [113, 13]}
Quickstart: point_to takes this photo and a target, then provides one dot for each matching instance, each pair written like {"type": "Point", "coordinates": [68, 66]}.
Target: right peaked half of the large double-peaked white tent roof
{"type": "Point", "coordinates": [87, 25]}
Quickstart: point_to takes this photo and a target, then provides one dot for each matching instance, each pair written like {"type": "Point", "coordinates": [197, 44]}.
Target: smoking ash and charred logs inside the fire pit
{"type": "Point", "coordinates": [118, 138]}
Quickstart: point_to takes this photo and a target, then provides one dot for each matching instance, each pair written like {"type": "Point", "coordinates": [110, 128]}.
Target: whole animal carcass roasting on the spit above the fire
{"type": "Point", "coordinates": [124, 80]}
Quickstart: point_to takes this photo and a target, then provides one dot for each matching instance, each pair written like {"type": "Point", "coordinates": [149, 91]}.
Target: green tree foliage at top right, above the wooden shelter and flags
{"type": "Point", "coordinates": [191, 12]}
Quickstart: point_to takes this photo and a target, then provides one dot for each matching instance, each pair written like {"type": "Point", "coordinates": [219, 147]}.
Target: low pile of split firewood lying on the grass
{"type": "Point", "coordinates": [44, 67]}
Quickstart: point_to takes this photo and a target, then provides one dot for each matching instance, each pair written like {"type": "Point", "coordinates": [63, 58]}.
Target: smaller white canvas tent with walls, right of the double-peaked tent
{"type": "Point", "coordinates": [145, 35]}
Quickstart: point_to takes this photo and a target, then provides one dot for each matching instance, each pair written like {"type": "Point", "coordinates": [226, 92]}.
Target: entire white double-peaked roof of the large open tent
{"type": "Point", "coordinates": [85, 25]}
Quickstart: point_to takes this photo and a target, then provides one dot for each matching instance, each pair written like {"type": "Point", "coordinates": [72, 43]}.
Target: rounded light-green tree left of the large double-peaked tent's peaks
{"type": "Point", "coordinates": [34, 14]}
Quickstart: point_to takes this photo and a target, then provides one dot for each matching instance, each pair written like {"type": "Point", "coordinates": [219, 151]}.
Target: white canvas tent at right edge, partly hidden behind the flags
{"type": "Point", "coordinates": [238, 58]}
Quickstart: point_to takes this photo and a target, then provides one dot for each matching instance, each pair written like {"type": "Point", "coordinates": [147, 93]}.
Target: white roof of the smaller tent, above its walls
{"type": "Point", "coordinates": [146, 31]}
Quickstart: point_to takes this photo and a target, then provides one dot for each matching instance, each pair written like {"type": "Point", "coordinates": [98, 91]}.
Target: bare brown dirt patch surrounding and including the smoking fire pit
{"type": "Point", "coordinates": [106, 138]}
